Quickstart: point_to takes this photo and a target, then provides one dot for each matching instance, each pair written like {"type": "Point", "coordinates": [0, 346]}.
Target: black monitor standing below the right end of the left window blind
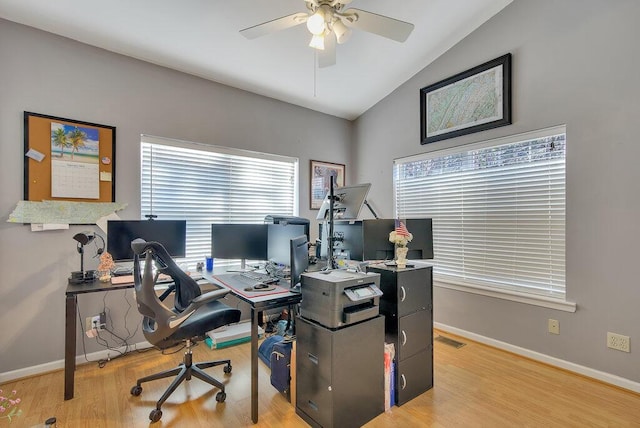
{"type": "Point", "coordinates": [239, 241]}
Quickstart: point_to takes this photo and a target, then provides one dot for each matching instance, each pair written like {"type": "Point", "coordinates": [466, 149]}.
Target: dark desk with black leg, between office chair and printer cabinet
{"type": "Point", "coordinates": [258, 303]}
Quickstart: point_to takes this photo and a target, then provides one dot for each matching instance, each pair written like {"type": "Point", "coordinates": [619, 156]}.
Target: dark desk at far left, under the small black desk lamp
{"type": "Point", "coordinates": [71, 310]}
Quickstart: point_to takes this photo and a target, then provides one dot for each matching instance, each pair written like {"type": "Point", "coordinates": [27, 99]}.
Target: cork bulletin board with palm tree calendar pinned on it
{"type": "Point", "coordinates": [68, 160]}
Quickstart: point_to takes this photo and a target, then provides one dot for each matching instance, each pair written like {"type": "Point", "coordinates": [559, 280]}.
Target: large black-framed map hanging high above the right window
{"type": "Point", "coordinates": [474, 100]}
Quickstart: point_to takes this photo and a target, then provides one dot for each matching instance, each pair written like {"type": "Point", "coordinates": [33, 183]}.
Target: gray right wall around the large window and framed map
{"type": "Point", "coordinates": [574, 63]}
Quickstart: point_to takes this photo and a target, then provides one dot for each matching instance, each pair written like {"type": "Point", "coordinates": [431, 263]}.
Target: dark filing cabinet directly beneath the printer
{"type": "Point", "coordinates": [339, 373]}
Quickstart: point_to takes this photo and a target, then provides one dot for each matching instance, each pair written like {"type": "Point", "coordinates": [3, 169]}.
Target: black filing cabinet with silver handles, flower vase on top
{"type": "Point", "coordinates": [407, 304]}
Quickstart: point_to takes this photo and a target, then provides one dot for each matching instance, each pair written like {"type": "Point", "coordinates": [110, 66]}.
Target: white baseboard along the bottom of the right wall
{"type": "Point", "coordinates": [552, 361]}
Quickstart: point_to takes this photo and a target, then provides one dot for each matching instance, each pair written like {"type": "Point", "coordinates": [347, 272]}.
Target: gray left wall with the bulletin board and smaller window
{"type": "Point", "coordinates": [51, 75]}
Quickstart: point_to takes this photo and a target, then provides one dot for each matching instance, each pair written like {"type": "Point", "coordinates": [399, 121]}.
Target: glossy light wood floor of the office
{"type": "Point", "coordinates": [475, 386]}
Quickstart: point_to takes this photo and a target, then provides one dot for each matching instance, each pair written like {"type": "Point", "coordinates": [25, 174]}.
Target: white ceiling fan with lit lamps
{"type": "Point", "coordinates": [329, 22]}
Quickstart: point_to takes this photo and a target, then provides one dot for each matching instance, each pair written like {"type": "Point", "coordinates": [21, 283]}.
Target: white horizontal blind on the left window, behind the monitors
{"type": "Point", "coordinates": [207, 184]}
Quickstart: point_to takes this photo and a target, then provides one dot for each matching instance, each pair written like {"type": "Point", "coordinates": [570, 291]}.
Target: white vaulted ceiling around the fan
{"type": "Point", "coordinates": [201, 37]}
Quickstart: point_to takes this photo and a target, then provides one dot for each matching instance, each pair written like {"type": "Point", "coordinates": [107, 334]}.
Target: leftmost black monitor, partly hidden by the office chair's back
{"type": "Point", "coordinates": [172, 234]}
